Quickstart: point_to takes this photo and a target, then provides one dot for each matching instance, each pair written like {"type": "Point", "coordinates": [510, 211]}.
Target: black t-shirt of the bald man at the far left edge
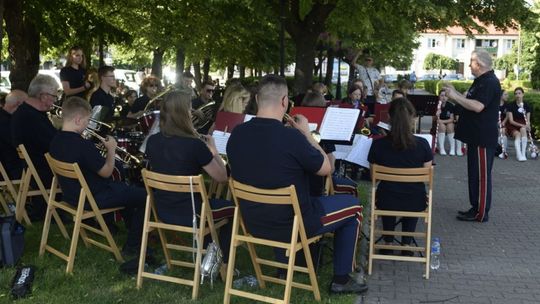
{"type": "Point", "coordinates": [8, 153]}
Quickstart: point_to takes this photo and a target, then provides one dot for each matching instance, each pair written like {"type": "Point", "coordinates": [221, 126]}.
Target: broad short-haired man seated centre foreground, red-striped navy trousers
{"type": "Point", "coordinates": [266, 154]}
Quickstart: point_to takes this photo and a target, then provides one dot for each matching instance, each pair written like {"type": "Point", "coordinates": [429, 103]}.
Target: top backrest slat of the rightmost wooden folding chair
{"type": "Point", "coordinates": [404, 175]}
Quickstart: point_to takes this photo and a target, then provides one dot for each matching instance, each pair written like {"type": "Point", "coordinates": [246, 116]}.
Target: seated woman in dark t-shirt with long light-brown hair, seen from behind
{"type": "Point", "coordinates": [178, 150]}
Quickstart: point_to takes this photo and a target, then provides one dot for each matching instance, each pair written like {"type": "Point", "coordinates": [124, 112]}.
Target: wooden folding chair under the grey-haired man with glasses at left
{"type": "Point", "coordinates": [28, 174]}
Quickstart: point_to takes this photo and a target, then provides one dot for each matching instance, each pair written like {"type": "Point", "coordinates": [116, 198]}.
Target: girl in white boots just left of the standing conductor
{"type": "Point", "coordinates": [445, 123]}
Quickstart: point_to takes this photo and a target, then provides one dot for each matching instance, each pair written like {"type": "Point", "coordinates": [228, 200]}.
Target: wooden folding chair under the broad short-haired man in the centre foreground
{"type": "Point", "coordinates": [299, 241]}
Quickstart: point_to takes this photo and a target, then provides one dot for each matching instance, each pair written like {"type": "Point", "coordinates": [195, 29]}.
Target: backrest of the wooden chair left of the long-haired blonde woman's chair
{"type": "Point", "coordinates": [71, 171]}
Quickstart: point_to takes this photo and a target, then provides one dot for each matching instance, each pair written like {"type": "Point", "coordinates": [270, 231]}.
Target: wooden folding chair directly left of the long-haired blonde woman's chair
{"type": "Point", "coordinates": [72, 171]}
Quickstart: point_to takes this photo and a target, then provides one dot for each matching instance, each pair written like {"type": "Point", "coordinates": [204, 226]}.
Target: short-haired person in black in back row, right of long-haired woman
{"type": "Point", "coordinates": [102, 96]}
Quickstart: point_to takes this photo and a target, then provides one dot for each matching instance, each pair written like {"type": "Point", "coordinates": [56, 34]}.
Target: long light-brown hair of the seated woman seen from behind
{"type": "Point", "coordinates": [175, 114]}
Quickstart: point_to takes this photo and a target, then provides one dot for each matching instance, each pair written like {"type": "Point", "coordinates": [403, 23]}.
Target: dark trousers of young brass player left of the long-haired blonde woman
{"type": "Point", "coordinates": [133, 200]}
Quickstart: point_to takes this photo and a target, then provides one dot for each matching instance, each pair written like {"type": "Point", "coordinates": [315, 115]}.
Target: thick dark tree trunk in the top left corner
{"type": "Point", "coordinates": [23, 47]}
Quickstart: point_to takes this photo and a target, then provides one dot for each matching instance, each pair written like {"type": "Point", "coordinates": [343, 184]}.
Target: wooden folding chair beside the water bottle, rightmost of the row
{"type": "Point", "coordinates": [413, 175]}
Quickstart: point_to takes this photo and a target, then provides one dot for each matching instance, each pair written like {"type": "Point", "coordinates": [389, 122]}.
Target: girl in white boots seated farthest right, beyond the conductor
{"type": "Point", "coordinates": [518, 123]}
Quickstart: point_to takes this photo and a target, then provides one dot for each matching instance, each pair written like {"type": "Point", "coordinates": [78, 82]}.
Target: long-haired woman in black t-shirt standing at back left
{"type": "Point", "coordinates": [73, 73]}
